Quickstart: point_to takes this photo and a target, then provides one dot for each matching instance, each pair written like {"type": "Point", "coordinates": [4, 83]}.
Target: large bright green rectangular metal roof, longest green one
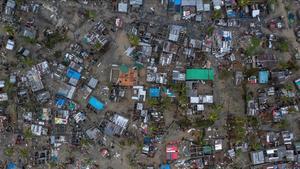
{"type": "Point", "coordinates": [199, 74]}
